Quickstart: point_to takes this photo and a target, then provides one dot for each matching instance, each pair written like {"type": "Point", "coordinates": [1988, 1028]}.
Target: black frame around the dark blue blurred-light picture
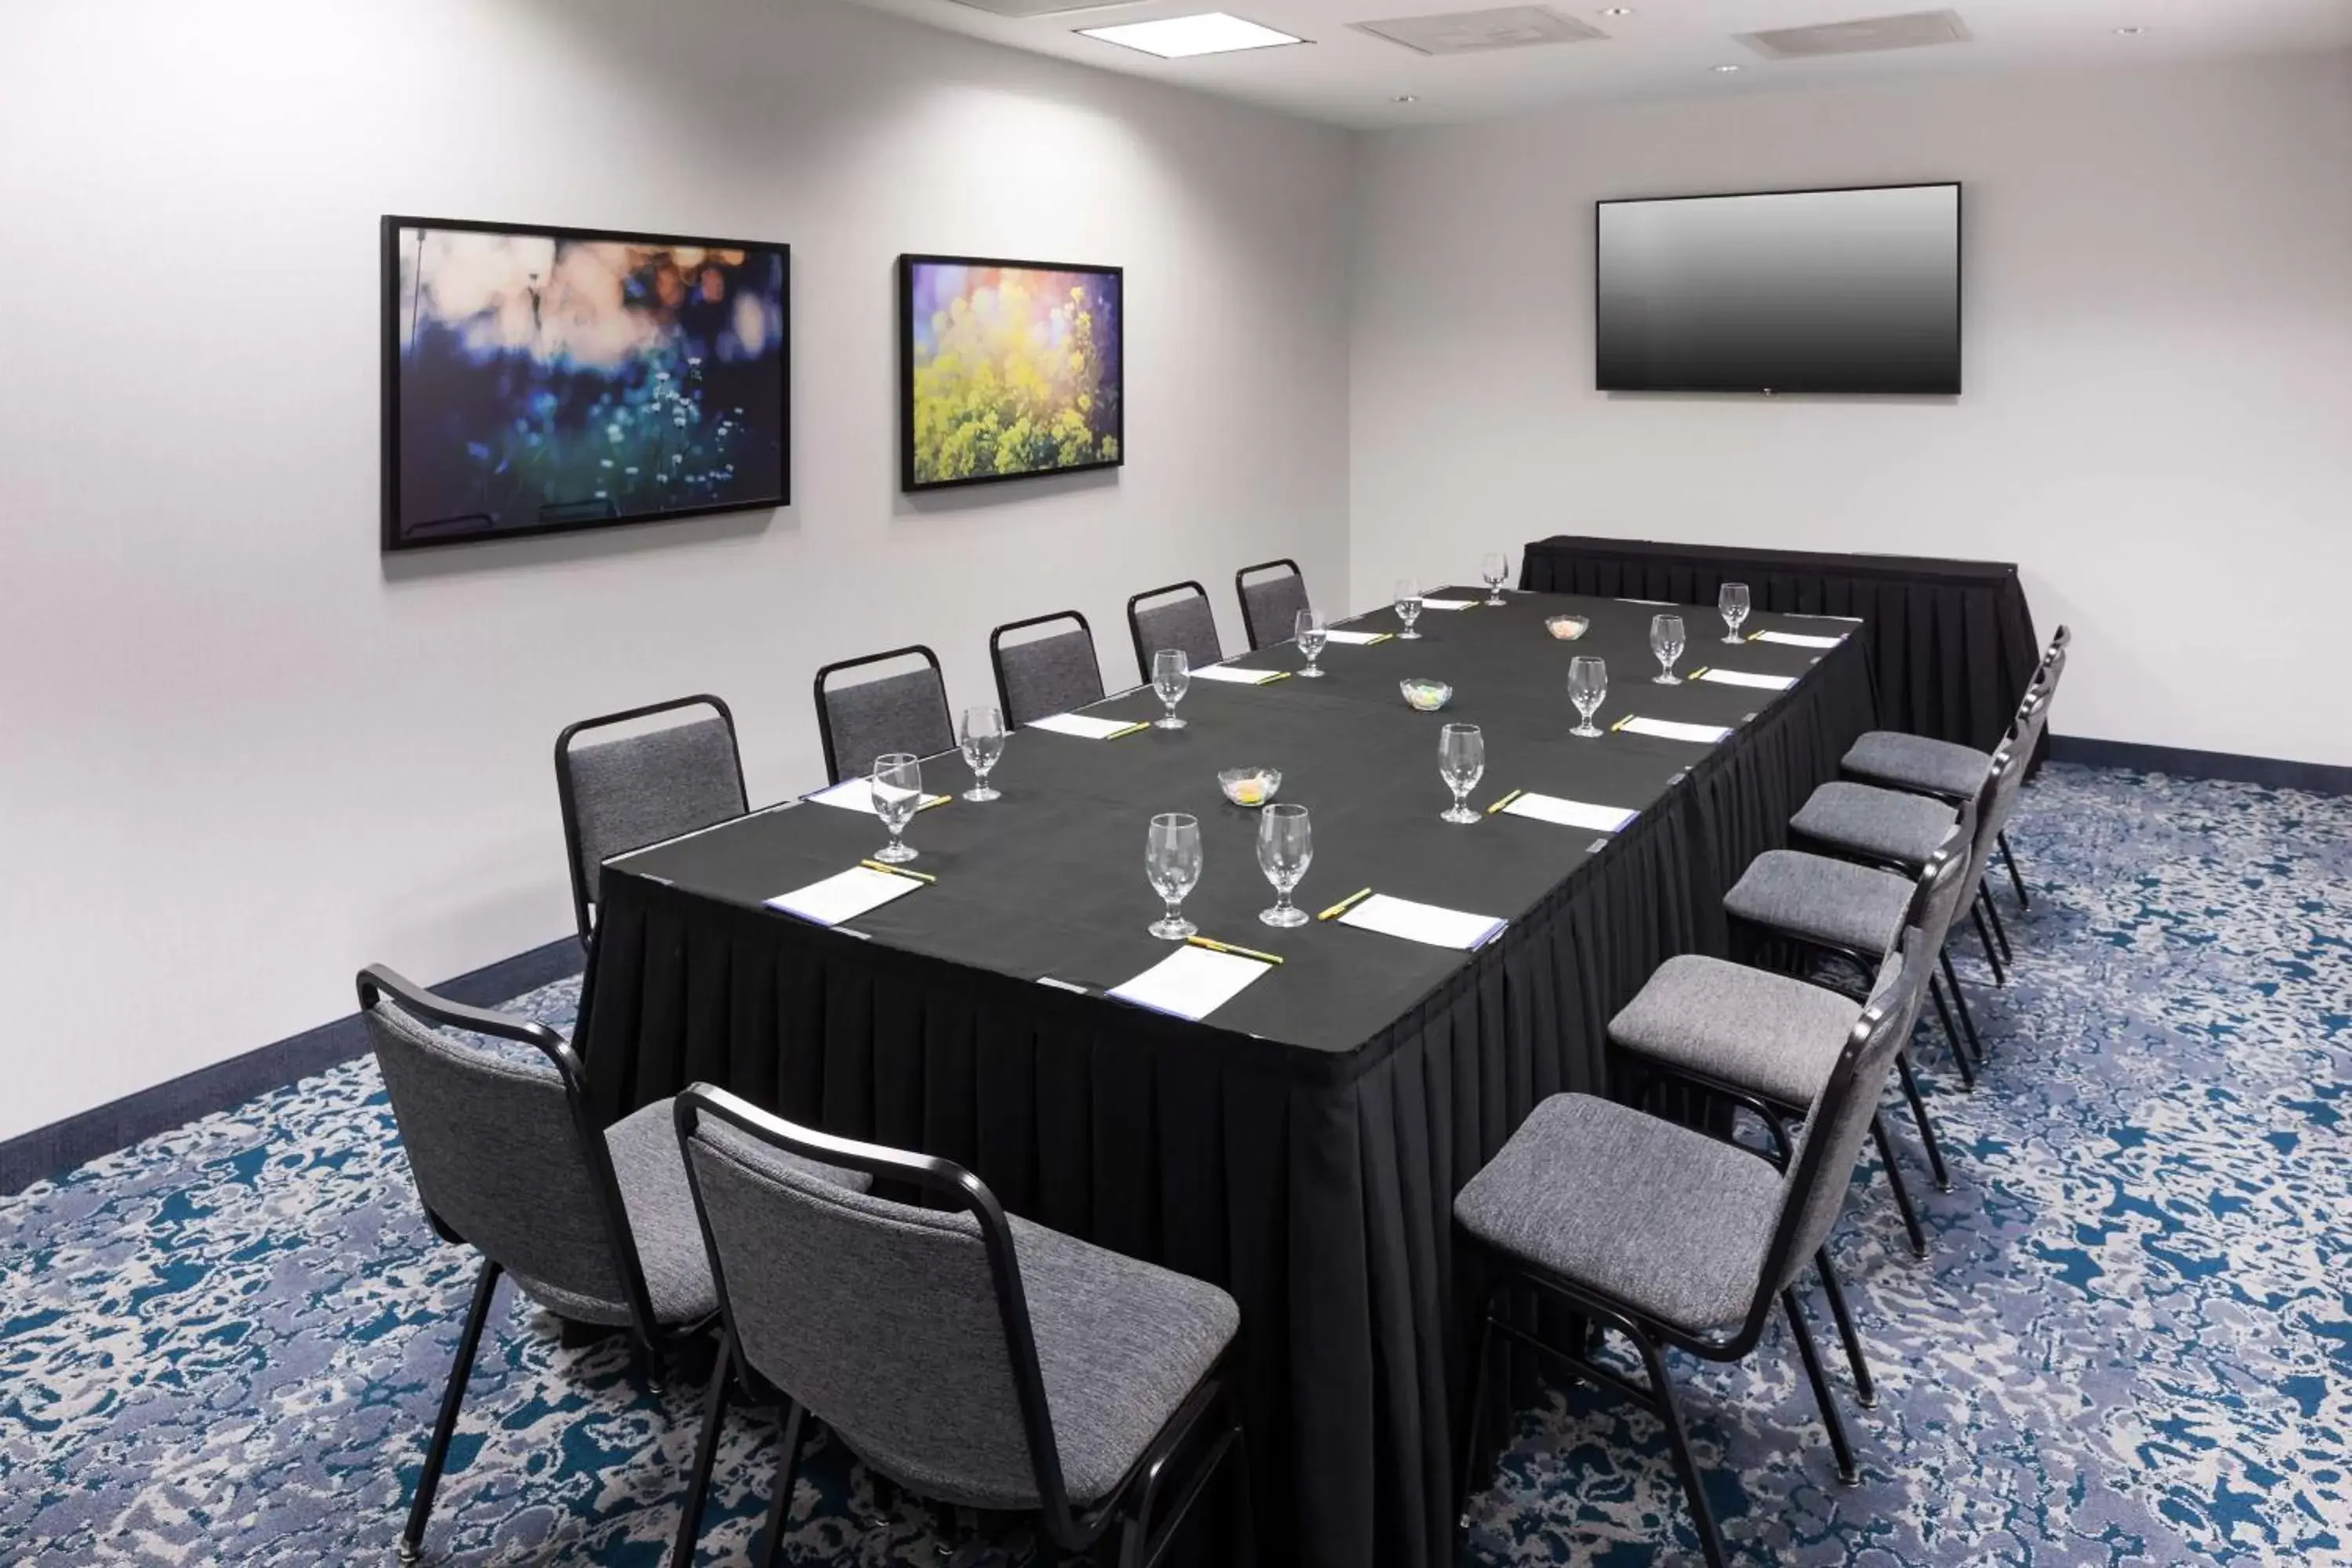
{"type": "Point", "coordinates": [399, 535]}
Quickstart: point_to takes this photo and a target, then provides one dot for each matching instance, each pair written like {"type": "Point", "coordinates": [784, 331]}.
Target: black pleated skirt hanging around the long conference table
{"type": "Point", "coordinates": [1314, 1186]}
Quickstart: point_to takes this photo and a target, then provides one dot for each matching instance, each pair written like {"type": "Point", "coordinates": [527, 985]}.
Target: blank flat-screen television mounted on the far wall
{"type": "Point", "coordinates": [1779, 293]}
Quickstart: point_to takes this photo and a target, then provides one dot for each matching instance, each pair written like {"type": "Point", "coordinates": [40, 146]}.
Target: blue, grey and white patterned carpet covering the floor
{"type": "Point", "coordinates": [2130, 1346]}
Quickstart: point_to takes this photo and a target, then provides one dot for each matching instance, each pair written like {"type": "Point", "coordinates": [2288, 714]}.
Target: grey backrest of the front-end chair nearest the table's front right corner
{"type": "Point", "coordinates": [900, 1327]}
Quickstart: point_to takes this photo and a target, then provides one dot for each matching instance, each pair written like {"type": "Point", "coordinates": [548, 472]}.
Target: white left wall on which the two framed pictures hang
{"type": "Point", "coordinates": [239, 751]}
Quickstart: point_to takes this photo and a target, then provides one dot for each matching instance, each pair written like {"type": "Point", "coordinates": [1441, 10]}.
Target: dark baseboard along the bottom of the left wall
{"type": "Point", "coordinates": [119, 1125]}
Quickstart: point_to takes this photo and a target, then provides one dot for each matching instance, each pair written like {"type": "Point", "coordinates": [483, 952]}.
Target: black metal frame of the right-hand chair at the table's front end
{"type": "Point", "coordinates": [1130, 1506]}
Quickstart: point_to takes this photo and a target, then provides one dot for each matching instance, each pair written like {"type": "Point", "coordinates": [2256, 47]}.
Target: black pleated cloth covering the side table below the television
{"type": "Point", "coordinates": [1953, 643]}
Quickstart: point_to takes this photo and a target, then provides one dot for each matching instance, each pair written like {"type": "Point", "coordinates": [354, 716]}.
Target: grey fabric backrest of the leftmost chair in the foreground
{"type": "Point", "coordinates": [502, 1148]}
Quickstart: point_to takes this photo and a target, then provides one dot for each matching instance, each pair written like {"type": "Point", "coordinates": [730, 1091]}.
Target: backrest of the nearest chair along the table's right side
{"type": "Point", "coordinates": [1836, 1125]}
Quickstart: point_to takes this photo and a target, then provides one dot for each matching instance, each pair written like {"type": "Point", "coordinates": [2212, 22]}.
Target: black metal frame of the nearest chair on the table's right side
{"type": "Point", "coordinates": [1652, 1334]}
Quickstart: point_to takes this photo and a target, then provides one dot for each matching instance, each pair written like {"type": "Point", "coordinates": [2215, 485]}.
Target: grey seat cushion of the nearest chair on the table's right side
{"type": "Point", "coordinates": [1652, 1214]}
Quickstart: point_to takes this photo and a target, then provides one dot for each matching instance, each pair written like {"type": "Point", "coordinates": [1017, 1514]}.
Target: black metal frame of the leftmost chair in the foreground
{"type": "Point", "coordinates": [648, 1336]}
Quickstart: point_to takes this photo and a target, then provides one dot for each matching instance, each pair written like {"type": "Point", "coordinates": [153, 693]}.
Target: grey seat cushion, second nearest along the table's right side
{"type": "Point", "coordinates": [1772, 1036]}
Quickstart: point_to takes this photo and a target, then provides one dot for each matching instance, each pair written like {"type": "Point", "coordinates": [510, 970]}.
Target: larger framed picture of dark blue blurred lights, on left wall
{"type": "Point", "coordinates": [542, 380]}
